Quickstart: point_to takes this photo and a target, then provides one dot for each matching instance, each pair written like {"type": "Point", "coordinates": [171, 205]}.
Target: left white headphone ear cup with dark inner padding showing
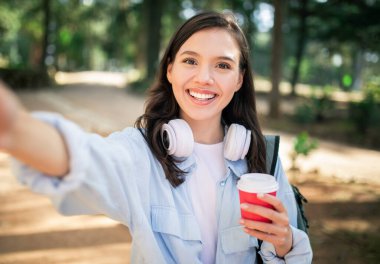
{"type": "Point", "coordinates": [177, 138]}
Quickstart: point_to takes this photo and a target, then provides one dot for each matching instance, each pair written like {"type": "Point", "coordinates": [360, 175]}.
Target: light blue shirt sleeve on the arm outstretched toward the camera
{"type": "Point", "coordinates": [102, 177]}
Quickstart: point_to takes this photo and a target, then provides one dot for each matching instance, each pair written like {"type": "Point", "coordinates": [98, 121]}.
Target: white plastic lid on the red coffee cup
{"type": "Point", "coordinates": [257, 183]}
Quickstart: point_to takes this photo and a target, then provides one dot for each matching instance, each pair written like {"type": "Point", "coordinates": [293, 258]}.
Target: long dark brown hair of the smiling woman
{"type": "Point", "coordinates": [161, 106]}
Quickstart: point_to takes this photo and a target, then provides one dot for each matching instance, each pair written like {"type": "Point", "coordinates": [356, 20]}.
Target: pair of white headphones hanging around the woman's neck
{"type": "Point", "coordinates": [178, 140]}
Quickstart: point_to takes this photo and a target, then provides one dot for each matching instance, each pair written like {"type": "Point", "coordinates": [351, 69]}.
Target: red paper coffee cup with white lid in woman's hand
{"type": "Point", "coordinates": [252, 184]}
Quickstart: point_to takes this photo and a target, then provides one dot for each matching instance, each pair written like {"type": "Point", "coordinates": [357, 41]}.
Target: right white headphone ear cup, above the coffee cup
{"type": "Point", "coordinates": [237, 142]}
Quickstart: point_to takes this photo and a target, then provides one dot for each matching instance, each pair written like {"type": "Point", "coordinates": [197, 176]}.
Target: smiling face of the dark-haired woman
{"type": "Point", "coordinates": [205, 74]}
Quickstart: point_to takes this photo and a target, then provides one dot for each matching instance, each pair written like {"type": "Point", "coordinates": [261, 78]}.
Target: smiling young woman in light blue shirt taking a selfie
{"type": "Point", "coordinates": [172, 179]}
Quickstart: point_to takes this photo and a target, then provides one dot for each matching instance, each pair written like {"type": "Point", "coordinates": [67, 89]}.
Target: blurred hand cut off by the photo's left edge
{"type": "Point", "coordinates": [10, 110]}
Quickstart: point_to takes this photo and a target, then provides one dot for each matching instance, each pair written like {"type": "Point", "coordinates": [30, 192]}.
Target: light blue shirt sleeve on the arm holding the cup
{"type": "Point", "coordinates": [301, 251]}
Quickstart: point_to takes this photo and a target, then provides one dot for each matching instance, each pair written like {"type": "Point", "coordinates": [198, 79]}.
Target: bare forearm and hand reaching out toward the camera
{"type": "Point", "coordinates": [29, 140]}
